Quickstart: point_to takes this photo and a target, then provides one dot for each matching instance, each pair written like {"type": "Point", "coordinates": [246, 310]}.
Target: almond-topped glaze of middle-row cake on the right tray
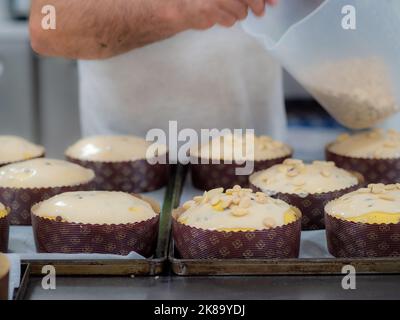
{"type": "Point", "coordinates": [295, 177]}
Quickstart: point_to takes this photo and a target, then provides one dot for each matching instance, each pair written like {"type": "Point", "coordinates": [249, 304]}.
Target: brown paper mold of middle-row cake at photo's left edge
{"type": "Point", "coordinates": [20, 200]}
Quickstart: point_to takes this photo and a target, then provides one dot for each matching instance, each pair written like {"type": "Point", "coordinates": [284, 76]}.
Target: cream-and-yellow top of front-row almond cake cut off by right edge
{"type": "Point", "coordinates": [376, 204]}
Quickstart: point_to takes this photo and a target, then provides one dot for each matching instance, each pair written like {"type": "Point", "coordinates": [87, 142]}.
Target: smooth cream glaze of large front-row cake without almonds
{"type": "Point", "coordinates": [95, 207]}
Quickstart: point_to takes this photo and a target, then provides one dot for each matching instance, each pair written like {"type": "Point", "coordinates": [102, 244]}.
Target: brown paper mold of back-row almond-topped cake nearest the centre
{"type": "Point", "coordinates": [211, 176]}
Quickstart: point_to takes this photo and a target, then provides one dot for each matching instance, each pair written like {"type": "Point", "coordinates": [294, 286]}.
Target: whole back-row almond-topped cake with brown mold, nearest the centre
{"type": "Point", "coordinates": [207, 175]}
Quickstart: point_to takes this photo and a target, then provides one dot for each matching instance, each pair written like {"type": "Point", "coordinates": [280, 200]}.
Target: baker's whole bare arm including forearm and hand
{"type": "Point", "coordinates": [97, 29]}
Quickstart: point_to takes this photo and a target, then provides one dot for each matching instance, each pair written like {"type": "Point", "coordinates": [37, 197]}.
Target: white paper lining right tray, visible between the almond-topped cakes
{"type": "Point", "coordinates": [313, 243]}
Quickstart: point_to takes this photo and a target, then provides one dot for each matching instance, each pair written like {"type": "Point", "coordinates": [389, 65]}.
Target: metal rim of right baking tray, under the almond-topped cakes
{"type": "Point", "coordinates": [300, 266]}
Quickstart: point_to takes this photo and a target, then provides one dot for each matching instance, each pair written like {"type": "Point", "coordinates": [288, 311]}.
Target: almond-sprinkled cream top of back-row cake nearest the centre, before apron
{"type": "Point", "coordinates": [246, 147]}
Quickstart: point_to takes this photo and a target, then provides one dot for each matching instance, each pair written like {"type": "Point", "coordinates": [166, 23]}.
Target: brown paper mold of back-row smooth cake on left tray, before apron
{"type": "Point", "coordinates": [129, 176]}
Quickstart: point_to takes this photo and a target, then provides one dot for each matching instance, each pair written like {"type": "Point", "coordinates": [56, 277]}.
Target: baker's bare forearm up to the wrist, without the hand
{"type": "Point", "coordinates": [95, 29]}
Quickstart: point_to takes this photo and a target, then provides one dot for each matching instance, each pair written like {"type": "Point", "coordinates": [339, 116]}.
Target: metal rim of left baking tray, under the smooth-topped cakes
{"type": "Point", "coordinates": [119, 267]}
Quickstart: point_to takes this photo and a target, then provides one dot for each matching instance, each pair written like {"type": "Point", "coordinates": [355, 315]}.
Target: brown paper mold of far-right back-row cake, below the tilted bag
{"type": "Point", "coordinates": [385, 171]}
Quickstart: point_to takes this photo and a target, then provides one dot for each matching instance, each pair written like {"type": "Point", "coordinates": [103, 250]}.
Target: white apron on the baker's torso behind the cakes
{"type": "Point", "coordinates": [220, 78]}
